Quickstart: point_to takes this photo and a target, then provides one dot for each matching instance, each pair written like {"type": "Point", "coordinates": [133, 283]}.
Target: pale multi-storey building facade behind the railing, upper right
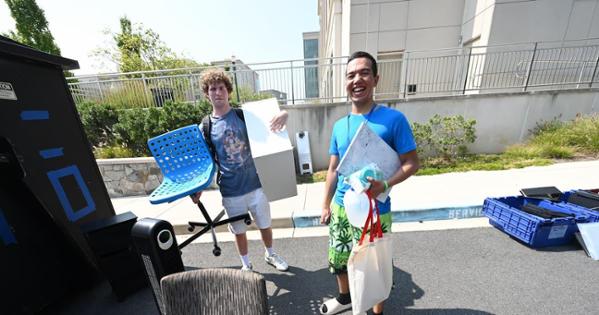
{"type": "Point", "coordinates": [397, 30]}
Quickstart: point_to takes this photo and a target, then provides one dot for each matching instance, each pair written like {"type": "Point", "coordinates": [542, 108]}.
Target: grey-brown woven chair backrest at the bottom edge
{"type": "Point", "coordinates": [214, 291]}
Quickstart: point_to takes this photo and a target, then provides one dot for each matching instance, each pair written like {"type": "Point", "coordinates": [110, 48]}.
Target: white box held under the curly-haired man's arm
{"type": "Point", "coordinates": [272, 152]}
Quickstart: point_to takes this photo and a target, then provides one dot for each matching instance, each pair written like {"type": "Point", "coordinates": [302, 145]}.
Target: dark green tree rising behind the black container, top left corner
{"type": "Point", "coordinates": [31, 26]}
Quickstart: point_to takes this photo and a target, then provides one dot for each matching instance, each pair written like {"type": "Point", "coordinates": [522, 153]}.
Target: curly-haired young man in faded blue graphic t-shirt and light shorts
{"type": "Point", "coordinates": [238, 181]}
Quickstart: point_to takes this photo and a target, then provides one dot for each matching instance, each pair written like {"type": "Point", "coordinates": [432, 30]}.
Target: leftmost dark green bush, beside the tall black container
{"type": "Point", "coordinates": [98, 121]}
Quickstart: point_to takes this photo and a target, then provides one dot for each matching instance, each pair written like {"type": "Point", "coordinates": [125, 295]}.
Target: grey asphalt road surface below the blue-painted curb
{"type": "Point", "coordinates": [455, 271]}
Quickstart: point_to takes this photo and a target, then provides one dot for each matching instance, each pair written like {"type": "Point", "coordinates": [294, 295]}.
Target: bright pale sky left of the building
{"type": "Point", "coordinates": [252, 31]}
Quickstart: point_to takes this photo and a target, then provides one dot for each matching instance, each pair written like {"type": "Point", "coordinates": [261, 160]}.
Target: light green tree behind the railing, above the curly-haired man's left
{"type": "Point", "coordinates": [136, 48]}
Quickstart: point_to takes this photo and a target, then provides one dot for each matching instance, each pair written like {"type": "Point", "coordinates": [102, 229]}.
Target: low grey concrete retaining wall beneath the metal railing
{"type": "Point", "coordinates": [502, 119]}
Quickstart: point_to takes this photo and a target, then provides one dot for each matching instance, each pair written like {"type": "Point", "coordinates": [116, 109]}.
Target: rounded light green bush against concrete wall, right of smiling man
{"type": "Point", "coordinates": [445, 137]}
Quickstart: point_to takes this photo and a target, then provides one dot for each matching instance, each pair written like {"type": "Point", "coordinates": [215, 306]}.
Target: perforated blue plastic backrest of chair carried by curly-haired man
{"type": "Point", "coordinates": [181, 153]}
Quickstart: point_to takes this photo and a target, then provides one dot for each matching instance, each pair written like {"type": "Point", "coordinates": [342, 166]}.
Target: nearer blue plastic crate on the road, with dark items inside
{"type": "Point", "coordinates": [505, 214]}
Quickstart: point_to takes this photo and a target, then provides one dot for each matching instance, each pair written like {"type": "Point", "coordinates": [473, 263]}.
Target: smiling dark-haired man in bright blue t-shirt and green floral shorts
{"type": "Point", "coordinates": [393, 127]}
